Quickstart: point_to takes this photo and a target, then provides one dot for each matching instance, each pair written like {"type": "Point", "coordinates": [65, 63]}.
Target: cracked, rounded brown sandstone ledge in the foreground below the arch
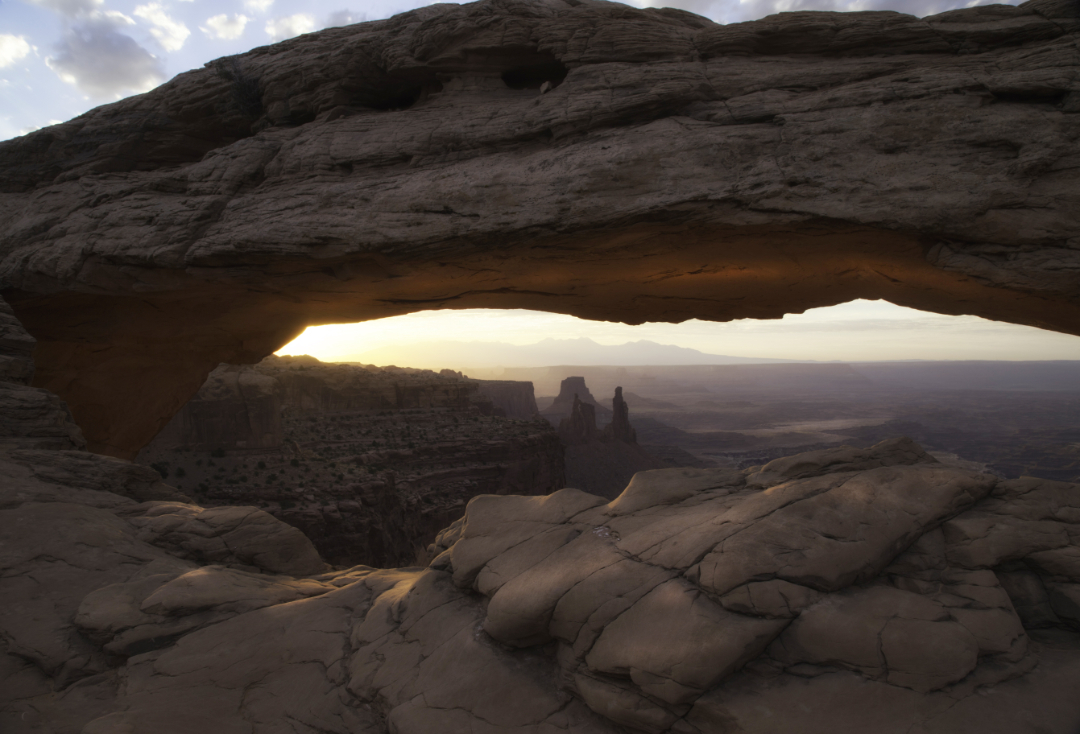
{"type": "Point", "coordinates": [847, 590]}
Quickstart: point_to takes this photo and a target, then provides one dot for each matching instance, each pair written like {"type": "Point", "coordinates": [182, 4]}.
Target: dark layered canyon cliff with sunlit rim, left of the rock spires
{"type": "Point", "coordinates": [371, 464]}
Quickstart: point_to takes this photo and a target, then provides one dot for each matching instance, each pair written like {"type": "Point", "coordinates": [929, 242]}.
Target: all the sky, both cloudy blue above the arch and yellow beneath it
{"type": "Point", "coordinates": [60, 59]}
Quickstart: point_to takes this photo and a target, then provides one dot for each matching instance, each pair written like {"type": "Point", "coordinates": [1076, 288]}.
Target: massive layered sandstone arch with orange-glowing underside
{"type": "Point", "coordinates": [575, 157]}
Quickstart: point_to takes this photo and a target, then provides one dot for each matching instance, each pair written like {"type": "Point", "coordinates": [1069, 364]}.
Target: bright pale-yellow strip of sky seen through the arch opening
{"type": "Point", "coordinates": [856, 332]}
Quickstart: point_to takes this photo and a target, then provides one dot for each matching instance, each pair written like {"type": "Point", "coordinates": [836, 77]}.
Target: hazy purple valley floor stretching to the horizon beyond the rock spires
{"type": "Point", "coordinates": [1009, 418]}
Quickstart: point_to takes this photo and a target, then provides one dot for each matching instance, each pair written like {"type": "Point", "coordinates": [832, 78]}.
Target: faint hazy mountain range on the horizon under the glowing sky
{"type": "Point", "coordinates": [547, 354]}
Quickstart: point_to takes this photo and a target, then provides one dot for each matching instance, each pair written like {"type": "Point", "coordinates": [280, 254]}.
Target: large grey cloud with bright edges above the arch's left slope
{"type": "Point", "coordinates": [102, 62]}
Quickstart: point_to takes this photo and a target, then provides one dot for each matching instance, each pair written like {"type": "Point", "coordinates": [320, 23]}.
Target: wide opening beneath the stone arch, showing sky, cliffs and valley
{"type": "Point", "coordinates": [372, 438]}
